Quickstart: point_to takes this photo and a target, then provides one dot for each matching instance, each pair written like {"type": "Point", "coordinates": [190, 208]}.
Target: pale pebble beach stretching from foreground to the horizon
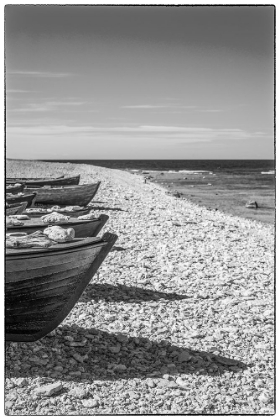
{"type": "Point", "coordinates": [179, 319]}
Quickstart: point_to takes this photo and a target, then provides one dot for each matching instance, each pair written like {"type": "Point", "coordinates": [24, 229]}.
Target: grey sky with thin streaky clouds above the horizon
{"type": "Point", "coordinates": [138, 82]}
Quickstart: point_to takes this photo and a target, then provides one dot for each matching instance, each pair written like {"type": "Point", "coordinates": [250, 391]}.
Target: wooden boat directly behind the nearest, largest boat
{"type": "Point", "coordinates": [83, 228]}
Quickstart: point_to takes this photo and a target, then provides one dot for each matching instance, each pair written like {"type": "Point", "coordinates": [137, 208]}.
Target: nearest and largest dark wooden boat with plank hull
{"type": "Point", "coordinates": [42, 285]}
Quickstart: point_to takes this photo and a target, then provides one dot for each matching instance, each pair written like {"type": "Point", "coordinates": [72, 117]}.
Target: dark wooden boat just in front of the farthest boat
{"type": "Point", "coordinates": [79, 195]}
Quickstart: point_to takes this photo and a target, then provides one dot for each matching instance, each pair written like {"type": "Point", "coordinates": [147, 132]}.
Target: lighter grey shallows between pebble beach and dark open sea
{"type": "Point", "coordinates": [220, 191]}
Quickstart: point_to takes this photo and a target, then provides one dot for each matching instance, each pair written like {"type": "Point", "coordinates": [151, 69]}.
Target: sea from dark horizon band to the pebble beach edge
{"type": "Point", "coordinates": [224, 185]}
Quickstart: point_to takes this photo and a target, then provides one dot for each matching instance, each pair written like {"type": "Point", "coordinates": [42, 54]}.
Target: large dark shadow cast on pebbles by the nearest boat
{"type": "Point", "coordinates": [135, 357]}
